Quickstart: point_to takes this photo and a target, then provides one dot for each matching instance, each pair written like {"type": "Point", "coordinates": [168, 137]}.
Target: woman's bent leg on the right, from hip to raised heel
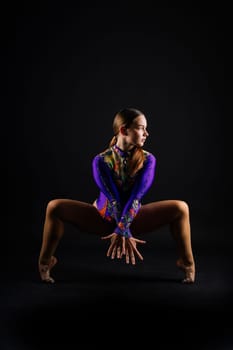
{"type": "Point", "coordinates": [175, 213]}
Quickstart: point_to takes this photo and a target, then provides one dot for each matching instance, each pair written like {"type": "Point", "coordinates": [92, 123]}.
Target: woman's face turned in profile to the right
{"type": "Point", "coordinates": [137, 133]}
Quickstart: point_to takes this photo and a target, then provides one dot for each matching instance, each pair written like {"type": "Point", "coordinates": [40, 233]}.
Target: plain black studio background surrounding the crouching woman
{"type": "Point", "coordinates": [69, 69]}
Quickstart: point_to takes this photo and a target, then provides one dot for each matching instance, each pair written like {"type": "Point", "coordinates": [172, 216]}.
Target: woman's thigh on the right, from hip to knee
{"type": "Point", "coordinates": [154, 215]}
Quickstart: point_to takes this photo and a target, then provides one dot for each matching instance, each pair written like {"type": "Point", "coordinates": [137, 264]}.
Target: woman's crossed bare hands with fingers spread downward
{"type": "Point", "coordinates": [123, 246]}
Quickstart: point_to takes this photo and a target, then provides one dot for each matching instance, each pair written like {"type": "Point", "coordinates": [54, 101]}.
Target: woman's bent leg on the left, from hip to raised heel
{"type": "Point", "coordinates": [83, 215]}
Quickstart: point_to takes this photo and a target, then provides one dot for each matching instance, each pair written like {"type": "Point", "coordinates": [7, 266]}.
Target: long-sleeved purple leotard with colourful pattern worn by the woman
{"type": "Point", "coordinates": [120, 195]}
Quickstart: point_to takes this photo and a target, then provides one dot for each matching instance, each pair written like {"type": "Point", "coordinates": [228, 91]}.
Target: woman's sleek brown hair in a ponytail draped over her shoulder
{"type": "Point", "coordinates": [125, 117]}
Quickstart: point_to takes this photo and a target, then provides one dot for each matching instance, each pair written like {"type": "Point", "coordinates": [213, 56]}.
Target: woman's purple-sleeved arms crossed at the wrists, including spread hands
{"type": "Point", "coordinates": [122, 242]}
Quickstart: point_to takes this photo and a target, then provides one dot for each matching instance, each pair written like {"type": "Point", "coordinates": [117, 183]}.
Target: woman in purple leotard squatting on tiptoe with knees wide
{"type": "Point", "coordinates": [123, 173]}
